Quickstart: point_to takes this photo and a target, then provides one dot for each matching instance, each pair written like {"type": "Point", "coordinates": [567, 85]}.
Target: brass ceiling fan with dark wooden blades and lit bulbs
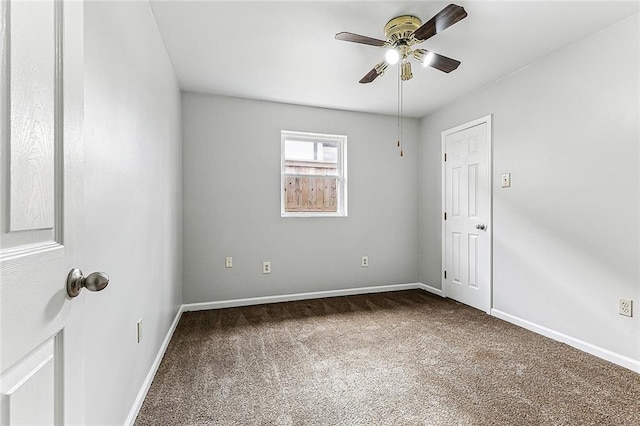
{"type": "Point", "coordinates": [402, 33]}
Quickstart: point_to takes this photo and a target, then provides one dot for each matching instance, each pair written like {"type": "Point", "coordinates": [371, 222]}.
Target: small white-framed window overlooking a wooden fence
{"type": "Point", "coordinates": [314, 174]}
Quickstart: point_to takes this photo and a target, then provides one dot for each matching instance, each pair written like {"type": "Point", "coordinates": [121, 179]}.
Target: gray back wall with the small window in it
{"type": "Point", "coordinates": [232, 203]}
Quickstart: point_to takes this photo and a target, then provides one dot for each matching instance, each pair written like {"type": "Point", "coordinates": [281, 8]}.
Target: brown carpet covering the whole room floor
{"type": "Point", "coordinates": [401, 358]}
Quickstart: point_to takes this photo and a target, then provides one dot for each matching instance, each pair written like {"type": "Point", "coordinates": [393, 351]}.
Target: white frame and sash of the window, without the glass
{"type": "Point", "coordinates": [341, 187]}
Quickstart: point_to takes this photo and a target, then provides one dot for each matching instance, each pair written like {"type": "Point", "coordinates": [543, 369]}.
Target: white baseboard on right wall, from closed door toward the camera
{"type": "Point", "coordinates": [621, 360]}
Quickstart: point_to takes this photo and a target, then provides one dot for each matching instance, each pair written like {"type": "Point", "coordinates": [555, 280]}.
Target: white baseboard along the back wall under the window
{"type": "Point", "coordinates": [299, 296]}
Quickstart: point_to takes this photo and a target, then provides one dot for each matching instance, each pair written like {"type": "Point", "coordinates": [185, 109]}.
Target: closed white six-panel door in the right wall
{"type": "Point", "coordinates": [467, 214]}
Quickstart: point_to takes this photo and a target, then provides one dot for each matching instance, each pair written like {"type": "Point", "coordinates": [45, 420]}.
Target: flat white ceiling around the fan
{"type": "Point", "coordinates": [285, 51]}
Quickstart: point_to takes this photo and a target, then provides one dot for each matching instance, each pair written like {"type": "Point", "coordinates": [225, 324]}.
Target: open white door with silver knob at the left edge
{"type": "Point", "coordinates": [41, 354]}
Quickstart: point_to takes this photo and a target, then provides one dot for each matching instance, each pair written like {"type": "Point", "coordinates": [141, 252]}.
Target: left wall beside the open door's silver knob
{"type": "Point", "coordinates": [133, 200]}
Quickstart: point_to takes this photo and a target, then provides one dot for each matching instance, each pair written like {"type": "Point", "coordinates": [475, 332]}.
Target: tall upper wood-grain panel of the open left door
{"type": "Point", "coordinates": [32, 60]}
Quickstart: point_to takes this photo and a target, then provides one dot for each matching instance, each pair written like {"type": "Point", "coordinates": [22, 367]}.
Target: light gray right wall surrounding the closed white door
{"type": "Point", "coordinates": [567, 233]}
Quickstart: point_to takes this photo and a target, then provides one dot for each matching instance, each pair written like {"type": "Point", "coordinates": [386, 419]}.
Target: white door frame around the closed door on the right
{"type": "Point", "coordinates": [443, 136]}
